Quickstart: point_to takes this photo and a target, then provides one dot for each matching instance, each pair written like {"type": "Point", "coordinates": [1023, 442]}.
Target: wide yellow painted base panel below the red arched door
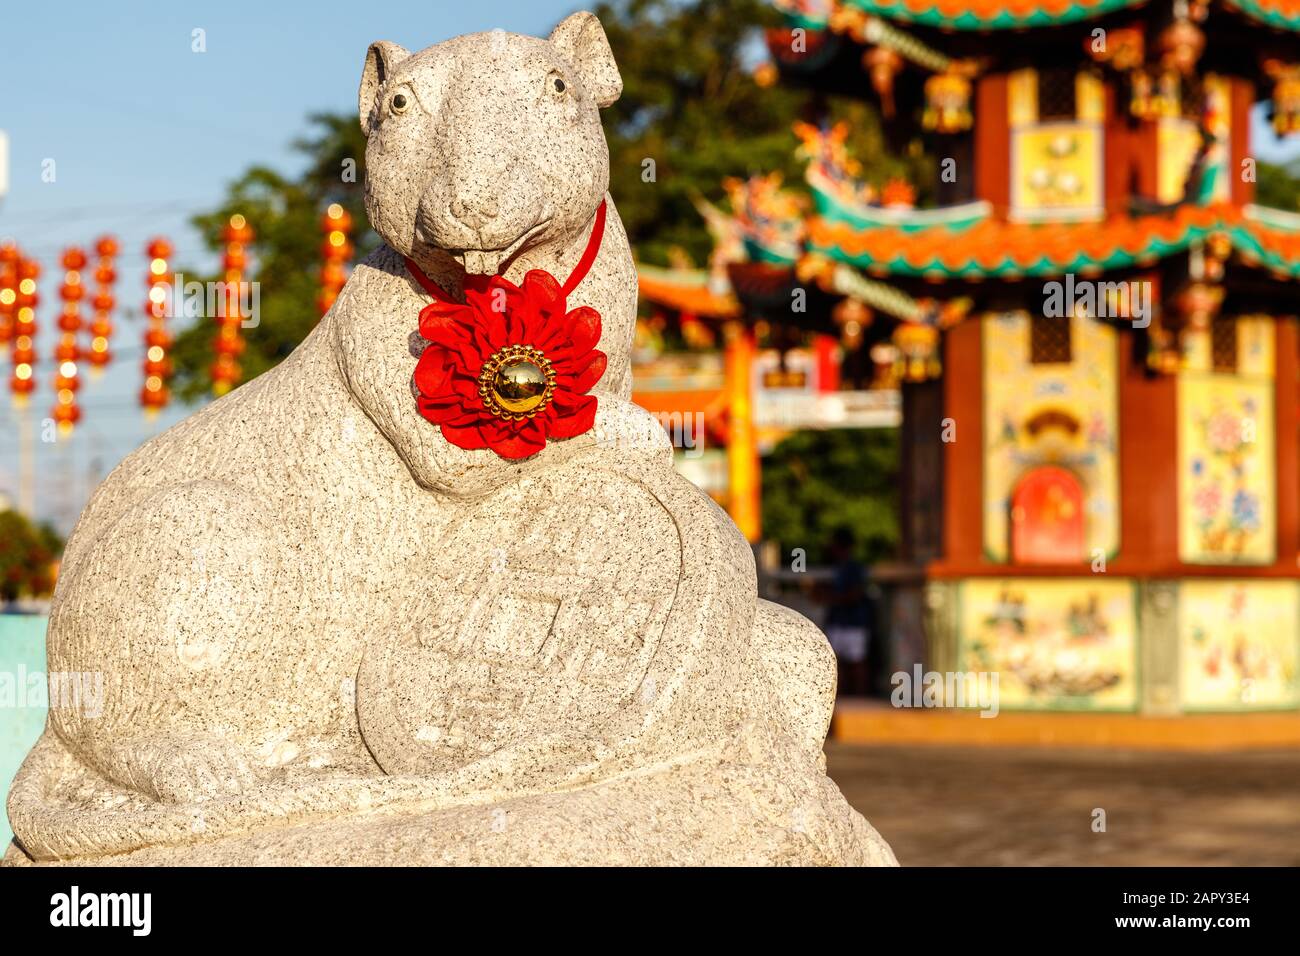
{"type": "Point", "coordinates": [1056, 643]}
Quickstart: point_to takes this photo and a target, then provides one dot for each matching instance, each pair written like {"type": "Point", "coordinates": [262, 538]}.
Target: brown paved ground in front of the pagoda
{"type": "Point", "coordinates": [1034, 807]}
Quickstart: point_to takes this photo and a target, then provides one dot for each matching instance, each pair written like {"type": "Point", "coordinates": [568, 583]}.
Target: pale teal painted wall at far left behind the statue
{"type": "Point", "coordinates": [23, 654]}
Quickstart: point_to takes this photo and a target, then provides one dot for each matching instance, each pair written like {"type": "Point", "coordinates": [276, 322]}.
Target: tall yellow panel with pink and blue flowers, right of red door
{"type": "Point", "coordinates": [1227, 483]}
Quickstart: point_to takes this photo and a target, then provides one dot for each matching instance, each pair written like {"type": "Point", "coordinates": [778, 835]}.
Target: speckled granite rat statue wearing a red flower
{"type": "Point", "coordinates": [337, 624]}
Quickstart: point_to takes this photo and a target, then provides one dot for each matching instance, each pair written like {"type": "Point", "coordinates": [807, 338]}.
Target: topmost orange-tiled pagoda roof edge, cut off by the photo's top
{"type": "Point", "coordinates": [1012, 15]}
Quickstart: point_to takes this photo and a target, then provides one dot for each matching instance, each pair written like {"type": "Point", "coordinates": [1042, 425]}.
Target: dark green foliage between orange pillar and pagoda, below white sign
{"type": "Point", "coordinates": [818, 482]}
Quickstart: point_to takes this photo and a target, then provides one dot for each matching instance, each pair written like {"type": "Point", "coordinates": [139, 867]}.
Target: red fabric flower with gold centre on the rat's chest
{"type": "Point", "coordinates": [510, 367]}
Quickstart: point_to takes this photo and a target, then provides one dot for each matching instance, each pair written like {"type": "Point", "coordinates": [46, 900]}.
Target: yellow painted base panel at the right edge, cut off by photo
{"type": "Point", "coordinates": [1240, 644]}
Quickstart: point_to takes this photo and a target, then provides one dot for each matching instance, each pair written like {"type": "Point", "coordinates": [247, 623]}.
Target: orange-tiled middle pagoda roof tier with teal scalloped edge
{"type": "Point", "coordinates": [1000, 249]}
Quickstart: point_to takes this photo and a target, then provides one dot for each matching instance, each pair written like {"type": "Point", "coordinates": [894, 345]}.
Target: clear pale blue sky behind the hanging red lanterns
{"type": "Point", "coordinates": [145, 132]}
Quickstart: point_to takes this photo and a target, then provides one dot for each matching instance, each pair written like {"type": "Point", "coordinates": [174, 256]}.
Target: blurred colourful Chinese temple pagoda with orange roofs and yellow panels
{"type": "Point", "coordinates": [1089, 344]}
